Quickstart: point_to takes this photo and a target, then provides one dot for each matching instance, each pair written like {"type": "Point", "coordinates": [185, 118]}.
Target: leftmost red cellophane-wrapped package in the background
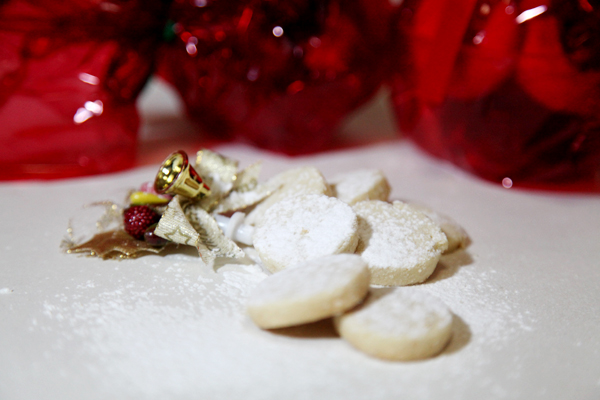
{"type": "Point", "coordinates": [70, 72]}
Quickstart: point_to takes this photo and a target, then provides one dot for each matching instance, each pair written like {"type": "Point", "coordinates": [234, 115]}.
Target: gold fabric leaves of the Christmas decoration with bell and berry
{"type": "Point", "coordinates": [184, 221]}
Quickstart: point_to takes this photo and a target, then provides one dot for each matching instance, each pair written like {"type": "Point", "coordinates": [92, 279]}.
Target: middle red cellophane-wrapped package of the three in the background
{"type": "Point", "coordinates": [280, 75]}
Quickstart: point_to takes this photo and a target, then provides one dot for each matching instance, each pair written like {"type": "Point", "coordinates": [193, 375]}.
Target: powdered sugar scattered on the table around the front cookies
{"type": "Point", "coordinates": [153, 337]}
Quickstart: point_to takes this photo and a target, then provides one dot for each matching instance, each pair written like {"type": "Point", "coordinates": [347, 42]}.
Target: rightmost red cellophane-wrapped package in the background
{"type": "Point", "coordinates": [516, 90]}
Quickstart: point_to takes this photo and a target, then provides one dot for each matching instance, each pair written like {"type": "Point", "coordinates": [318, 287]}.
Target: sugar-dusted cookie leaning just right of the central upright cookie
{"type": "Point", "coordinates": [401, 245]}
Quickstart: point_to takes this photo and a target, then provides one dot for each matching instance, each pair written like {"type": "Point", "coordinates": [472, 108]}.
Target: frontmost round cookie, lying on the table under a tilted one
{"type": "Point", "coordinates": [405, 324]}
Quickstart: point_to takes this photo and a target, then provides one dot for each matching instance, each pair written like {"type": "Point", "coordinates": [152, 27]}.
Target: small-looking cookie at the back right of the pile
{"type": "Point", "coordinates": [364, 184]}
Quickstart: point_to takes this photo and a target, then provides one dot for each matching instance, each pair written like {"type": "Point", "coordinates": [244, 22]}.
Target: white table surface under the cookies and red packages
{"type": "Point", "coordinates": [526, 294]}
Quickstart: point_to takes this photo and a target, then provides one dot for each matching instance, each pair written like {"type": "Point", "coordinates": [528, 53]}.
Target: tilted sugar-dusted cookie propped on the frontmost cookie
{"type": "Point", "coordinates": [314, 290]}
